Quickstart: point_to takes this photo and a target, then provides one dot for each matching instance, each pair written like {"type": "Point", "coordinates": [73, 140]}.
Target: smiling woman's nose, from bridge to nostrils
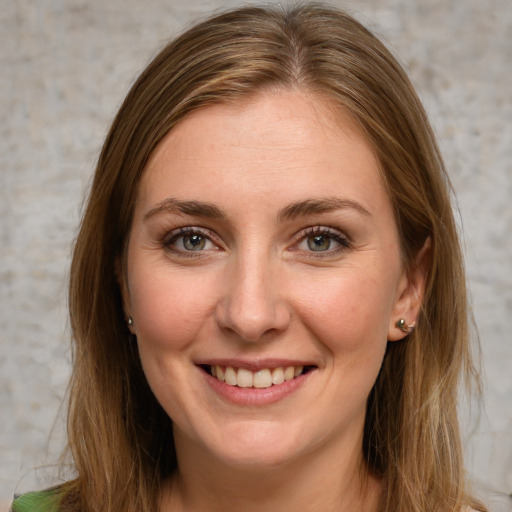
{"type": "Point", "coordinates": [252, 304]}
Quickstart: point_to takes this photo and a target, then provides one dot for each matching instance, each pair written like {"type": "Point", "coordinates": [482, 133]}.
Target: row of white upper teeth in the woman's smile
{"type": "Point", "coordinates": [264, 378]}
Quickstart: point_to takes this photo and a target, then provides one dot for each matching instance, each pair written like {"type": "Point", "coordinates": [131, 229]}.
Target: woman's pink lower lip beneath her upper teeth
{"type": "Point", "coordinates": [256, 396]}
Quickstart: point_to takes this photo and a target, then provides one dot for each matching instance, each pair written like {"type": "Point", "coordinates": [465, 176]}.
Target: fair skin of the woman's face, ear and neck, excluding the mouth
{"type": "Point", "coordinates": [257, 292]}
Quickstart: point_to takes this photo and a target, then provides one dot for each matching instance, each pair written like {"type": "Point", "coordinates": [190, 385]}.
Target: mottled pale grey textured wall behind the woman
{"type": "Point", "coordinates": [66, 65]}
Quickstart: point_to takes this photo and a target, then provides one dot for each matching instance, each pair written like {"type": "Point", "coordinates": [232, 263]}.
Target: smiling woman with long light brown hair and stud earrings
{"type": "Point", "coordinates": [267, 294]}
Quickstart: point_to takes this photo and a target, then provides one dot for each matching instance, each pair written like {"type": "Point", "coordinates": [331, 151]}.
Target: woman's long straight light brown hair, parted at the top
{"type": "Point", "coordinates": [120, 439]}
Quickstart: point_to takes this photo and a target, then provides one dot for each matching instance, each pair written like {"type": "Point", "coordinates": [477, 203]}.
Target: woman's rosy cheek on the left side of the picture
{"type": "Point", "coordinates": [169, 309]}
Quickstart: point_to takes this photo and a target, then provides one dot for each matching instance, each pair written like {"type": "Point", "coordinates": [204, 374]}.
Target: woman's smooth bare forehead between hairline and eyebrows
{"type": "Point", "coordinates": [289, 142]}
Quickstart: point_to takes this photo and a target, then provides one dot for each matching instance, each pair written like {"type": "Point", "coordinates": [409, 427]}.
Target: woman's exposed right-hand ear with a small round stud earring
{"type": "Point", "coordinates": [410, 290]}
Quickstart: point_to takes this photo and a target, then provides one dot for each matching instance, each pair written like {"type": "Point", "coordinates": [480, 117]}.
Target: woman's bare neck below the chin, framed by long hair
{"type": "Point", "coordinates": [324, 481]}
